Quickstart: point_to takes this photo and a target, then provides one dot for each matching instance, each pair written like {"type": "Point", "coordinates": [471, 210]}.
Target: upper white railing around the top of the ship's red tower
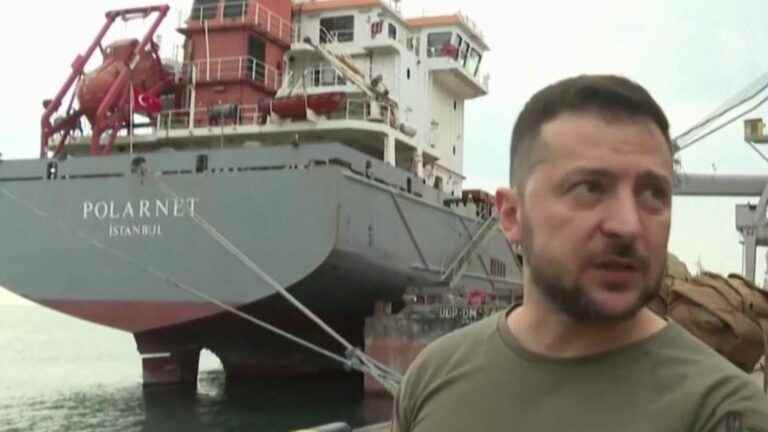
{"type": "Point", "coordinates": [248, 12]}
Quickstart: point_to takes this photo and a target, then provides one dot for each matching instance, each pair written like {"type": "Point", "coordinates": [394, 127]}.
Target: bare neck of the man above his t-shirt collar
{"type": "Point", "coordinates": [552, 334]}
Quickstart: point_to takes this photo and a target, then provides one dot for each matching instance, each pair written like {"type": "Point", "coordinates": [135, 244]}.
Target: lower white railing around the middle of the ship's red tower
{"type": "Point", "coordinates": [232, 68]}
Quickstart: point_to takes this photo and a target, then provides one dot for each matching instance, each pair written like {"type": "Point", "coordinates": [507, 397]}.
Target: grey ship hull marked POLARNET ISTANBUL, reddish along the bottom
{"type": "Point", "coordinates": [137, 242]}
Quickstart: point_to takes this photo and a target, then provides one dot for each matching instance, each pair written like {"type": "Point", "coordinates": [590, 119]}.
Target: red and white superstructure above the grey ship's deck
{"type": "Point", "coordinates": [403, 83]}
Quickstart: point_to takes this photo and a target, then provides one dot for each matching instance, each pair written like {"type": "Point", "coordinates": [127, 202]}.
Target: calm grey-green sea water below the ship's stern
{"type": "Point", "coordinates": [58, 373]}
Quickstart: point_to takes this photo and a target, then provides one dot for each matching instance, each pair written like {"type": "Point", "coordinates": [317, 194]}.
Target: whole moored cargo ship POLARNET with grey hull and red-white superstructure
{"type": "Point", "coordinates": [312, 146]}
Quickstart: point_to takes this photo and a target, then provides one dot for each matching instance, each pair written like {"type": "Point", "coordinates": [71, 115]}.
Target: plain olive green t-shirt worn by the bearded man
{"type": "Point", "coordinates": [480, 378]}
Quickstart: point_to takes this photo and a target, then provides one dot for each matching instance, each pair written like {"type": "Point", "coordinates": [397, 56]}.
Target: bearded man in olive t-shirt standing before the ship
{"type": "Point", "coordinates": [590, 203]}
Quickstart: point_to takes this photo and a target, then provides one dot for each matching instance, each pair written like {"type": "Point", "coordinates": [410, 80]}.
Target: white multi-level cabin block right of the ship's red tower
{"type": "Point", "coordinates": [430, 65]}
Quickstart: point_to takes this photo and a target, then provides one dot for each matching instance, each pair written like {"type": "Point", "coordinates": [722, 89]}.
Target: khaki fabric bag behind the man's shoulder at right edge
{"type": "Point", "coordinates": [730, 314]}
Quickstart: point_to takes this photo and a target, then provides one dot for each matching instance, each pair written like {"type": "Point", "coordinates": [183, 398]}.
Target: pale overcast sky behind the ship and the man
{"type": "Point", "coordinates": [691, 55]}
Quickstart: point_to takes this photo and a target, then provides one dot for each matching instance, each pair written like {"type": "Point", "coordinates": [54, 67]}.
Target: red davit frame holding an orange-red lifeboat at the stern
{"type": "Point", "coordinates": [130, 80]}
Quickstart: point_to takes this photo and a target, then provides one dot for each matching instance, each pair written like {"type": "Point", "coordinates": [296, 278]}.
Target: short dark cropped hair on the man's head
{"type": "Point", "coordinates": [607, 95]}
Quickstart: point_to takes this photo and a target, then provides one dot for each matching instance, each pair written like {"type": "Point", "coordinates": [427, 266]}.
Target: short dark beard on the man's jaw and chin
{"type": "Point", "coordinates": [569, 296]}
